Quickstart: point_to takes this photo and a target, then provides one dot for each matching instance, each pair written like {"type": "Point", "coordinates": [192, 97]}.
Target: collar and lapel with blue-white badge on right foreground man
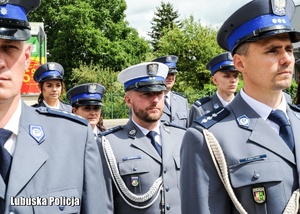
{"type": "Point", "coordinates": [262, 133]}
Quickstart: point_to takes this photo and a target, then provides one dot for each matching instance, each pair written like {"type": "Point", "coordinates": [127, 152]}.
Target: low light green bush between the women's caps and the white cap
{"type": "Point", "coordinates": [113, 100]}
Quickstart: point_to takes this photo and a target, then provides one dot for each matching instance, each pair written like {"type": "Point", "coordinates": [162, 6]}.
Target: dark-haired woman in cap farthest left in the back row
{"type": "Point", "coordinates": [50, 78]}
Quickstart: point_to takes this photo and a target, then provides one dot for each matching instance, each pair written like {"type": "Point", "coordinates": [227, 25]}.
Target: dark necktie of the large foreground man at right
{"type": "Point", "coordinates": [285, 131]}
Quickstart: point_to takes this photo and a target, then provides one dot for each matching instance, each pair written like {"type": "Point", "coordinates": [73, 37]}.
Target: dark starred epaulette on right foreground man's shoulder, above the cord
{"type": "Point", "coordinates": [212, 117]}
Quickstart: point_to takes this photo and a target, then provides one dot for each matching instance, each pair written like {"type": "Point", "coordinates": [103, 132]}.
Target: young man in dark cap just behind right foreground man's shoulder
{"type": "Point", "coordinates": [226, 78]}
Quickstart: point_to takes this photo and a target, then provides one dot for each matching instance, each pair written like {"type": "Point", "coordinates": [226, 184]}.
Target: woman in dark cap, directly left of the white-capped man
{"type": "Point", "coordinates": [86, 101]}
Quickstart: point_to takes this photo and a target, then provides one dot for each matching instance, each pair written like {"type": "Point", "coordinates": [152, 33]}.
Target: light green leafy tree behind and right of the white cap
{"type": "Point", "coordinates": [194, 44]}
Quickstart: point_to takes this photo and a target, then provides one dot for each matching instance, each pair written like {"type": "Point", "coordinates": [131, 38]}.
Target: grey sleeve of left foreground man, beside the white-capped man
{"type": "Point", "coordinates": [94, 192]}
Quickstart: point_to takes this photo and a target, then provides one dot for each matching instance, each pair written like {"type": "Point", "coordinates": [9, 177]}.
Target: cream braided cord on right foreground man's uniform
{"type": "Point", "coordinates": [219, 161]}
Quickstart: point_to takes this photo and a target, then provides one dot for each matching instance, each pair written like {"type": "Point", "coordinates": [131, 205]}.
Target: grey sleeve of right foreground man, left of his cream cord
{"type": "Point", "coordinates": [201, 189]}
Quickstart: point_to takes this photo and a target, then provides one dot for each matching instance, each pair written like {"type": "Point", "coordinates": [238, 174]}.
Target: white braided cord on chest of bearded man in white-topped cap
{"type": "Point", "coordinates": [154, 190]}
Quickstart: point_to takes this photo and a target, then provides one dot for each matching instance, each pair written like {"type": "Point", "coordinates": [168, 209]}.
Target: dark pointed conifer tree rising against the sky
{"type": "Point", "coordinates": [164, 18]}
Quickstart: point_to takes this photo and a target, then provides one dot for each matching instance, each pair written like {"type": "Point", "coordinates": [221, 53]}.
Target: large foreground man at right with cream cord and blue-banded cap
{"type": "Point", "coordinates": [254, 140]}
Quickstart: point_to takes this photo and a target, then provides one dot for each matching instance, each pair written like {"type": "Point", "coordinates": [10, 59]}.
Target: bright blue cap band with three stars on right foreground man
{"type": "Point", "coordinates": [260, 22]}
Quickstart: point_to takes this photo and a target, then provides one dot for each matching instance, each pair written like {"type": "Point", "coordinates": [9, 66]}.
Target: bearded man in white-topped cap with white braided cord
{"type": "Point", "coordinates": [143, 156]}
